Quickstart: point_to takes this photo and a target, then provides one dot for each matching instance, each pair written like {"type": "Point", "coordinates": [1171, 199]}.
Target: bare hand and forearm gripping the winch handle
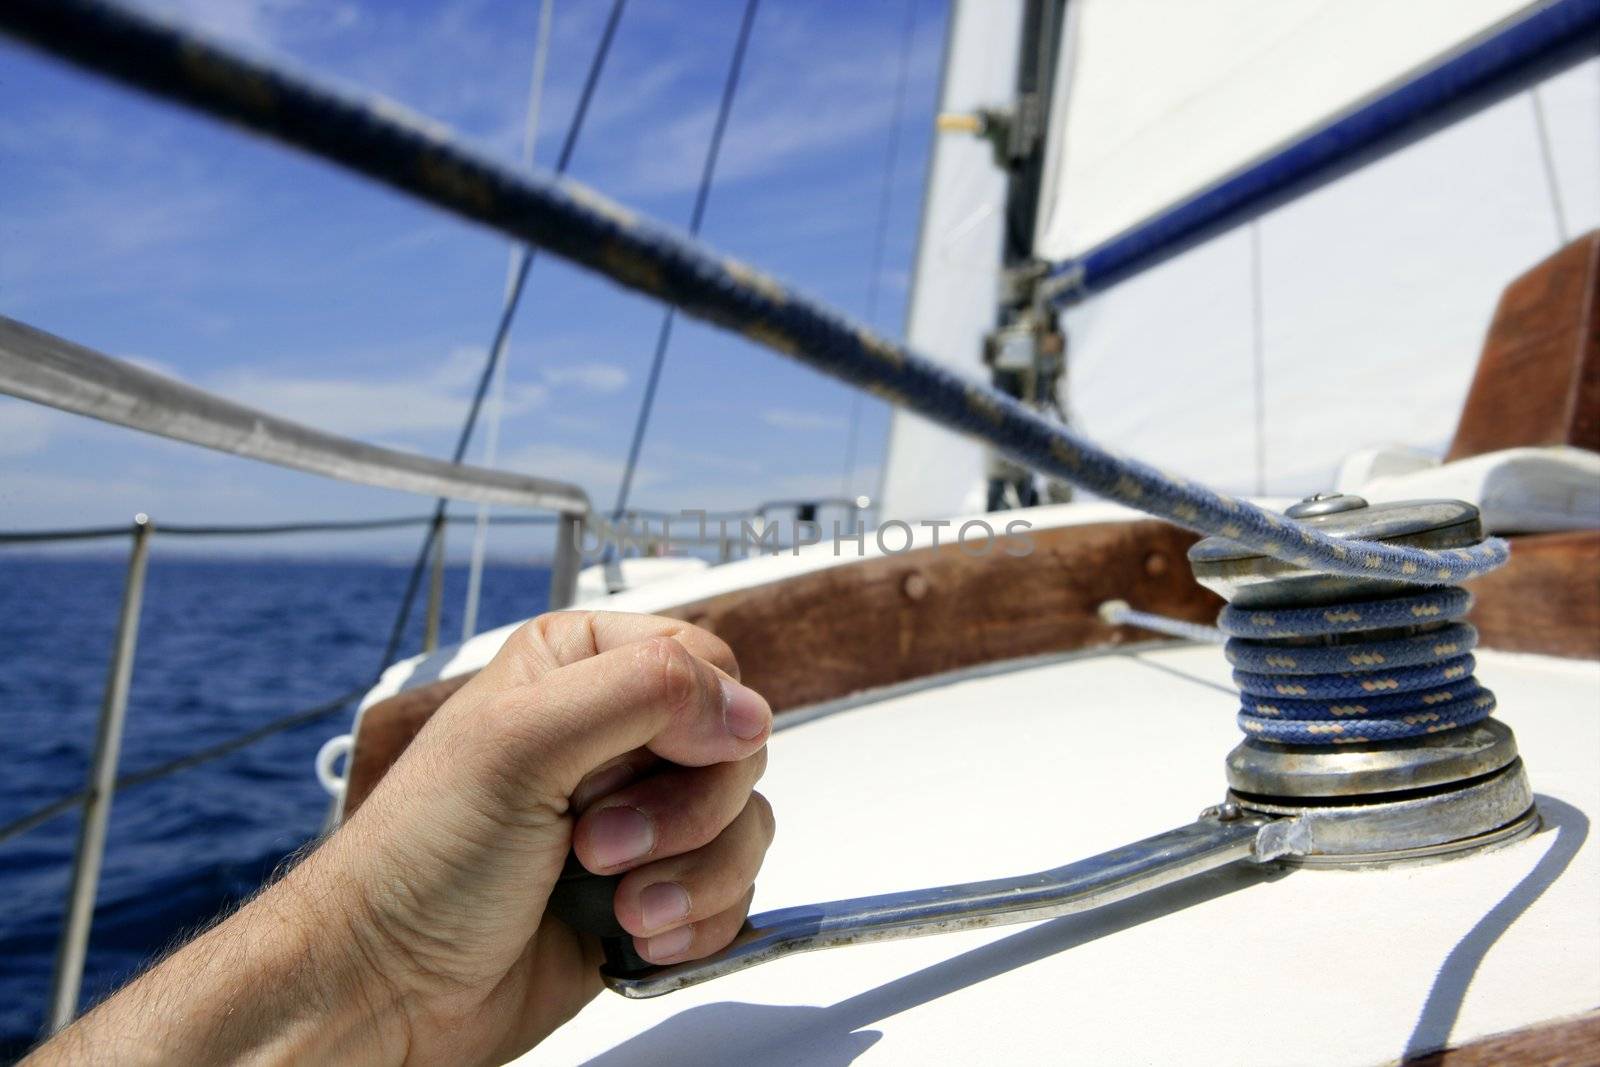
{"type": "Point", "coordinates": [417, 933]}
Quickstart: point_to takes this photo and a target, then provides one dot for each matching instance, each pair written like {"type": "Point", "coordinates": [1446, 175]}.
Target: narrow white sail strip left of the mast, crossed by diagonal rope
{"type": "Point", "coordinates": [930, 473]}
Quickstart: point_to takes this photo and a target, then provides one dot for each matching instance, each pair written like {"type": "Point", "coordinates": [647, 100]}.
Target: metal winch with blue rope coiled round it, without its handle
{"type": "Point", "coordinates": [1361, 709]}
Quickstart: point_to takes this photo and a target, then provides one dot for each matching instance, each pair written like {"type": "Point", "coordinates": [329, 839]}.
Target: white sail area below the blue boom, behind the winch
{"type": "Point", "coordinates": [1348, 319]}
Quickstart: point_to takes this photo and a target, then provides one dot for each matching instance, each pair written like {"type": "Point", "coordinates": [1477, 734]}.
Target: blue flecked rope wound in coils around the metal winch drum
{"type": "Point", "coordinates": [1311, 676]}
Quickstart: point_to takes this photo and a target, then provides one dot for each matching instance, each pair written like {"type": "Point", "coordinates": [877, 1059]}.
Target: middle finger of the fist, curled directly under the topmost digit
{"type": "Point", "coordinates": [666, 815]}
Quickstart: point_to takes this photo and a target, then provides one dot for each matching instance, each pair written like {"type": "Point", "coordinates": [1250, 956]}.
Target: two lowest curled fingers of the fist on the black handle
{"type": "Point", "coordinates": [697, 890]}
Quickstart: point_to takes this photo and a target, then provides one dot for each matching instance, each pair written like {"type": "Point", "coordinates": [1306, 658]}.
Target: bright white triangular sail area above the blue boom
{"type": "Point", "coordinates": [1158, 100]}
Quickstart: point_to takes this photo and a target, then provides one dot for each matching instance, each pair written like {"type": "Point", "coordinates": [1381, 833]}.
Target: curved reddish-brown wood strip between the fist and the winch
{"type": "Point", "coordinates": [833, 633]}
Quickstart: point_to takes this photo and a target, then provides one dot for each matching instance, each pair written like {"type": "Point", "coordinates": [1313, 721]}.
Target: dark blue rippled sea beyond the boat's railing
{"type": "Point", "coordinates": [225, 645]}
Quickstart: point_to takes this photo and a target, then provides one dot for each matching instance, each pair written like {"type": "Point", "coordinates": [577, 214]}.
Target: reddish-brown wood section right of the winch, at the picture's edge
{"type": "Point", "coordinates": [1546, 601]}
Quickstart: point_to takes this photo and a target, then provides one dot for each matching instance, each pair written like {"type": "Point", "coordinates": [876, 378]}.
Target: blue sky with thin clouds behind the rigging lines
{"type": "Point", "coordinates": [284, 284]}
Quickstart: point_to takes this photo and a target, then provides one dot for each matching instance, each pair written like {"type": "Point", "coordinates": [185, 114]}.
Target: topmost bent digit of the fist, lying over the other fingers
{"type": "Point", "coordinates": [654, 695]}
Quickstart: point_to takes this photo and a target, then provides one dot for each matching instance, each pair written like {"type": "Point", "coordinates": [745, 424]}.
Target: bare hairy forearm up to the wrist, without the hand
{"type": "Point", "coordinates": [279, 981]}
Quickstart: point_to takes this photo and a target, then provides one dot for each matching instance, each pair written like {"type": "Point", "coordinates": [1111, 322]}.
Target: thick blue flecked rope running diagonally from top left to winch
{"type": "Point", "coordinates": [407, 153]}
